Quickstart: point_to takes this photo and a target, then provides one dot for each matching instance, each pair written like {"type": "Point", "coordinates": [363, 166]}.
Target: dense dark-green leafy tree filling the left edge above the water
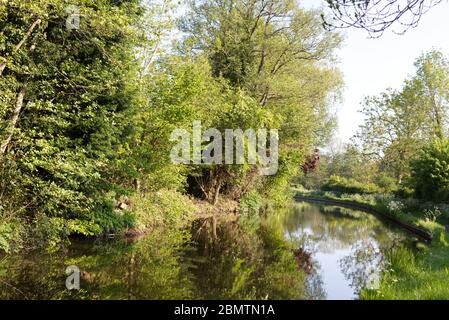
{"type": "Point", "coordinates": [66, 99]}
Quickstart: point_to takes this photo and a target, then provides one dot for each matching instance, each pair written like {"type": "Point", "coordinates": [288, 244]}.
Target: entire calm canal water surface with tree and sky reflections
{"type": "Point", "coordinates": [302, 252]}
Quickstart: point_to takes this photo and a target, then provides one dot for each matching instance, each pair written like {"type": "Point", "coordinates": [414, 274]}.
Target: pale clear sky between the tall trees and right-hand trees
{"type": "Point", "coordinates": [370, 66]}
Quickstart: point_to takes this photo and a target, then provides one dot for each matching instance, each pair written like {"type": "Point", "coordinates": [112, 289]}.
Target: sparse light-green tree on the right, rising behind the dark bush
{"type": "Point", "coordinates": [399, 122]}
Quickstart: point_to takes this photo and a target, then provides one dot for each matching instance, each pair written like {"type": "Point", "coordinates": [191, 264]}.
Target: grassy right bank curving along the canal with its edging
{"type": "Point", "coordinates": [411, 274]}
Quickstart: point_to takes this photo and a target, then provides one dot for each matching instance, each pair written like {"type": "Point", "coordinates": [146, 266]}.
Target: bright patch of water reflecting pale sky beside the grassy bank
{"type": "Point", "coordinates": [347, 248]}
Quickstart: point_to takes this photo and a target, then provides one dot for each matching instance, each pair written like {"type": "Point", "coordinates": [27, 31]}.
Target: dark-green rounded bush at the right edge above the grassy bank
{"type": "Point", "coordinates": [430, 172]}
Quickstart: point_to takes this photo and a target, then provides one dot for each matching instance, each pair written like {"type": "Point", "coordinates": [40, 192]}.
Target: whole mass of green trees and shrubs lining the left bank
{"type": "Point", "coordinates": [86, 114]}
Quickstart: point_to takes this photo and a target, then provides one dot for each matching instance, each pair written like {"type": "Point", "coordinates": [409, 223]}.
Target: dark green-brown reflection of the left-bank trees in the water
{"type": "Point", "coordinates": [214, 260]}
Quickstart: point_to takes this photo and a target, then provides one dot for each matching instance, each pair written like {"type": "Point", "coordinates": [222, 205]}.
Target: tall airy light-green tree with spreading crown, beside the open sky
{"type": "Point", "coordinates": [278, 55]}
